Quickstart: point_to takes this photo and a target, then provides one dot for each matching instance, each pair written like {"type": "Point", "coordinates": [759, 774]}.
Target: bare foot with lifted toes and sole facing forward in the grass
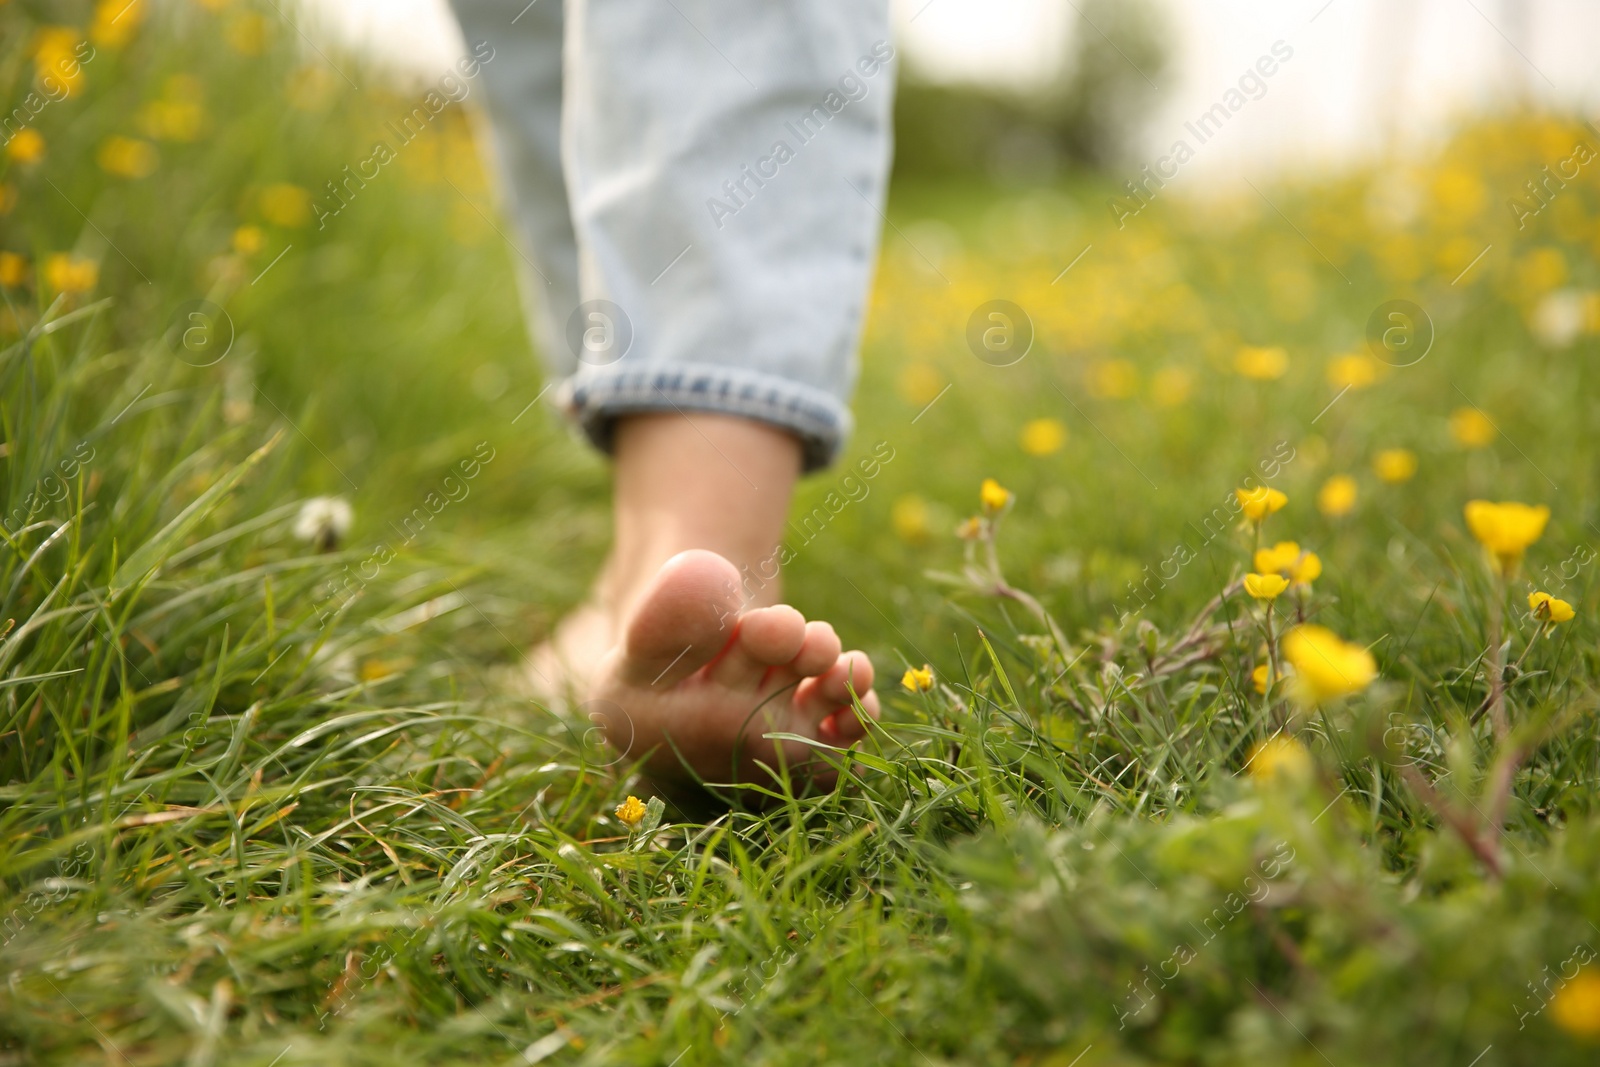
{"type": "Point", "coordinates": [698, 684]}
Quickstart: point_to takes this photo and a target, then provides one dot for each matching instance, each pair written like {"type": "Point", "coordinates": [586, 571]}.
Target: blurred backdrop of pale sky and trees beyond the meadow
{"type": "Point", "coordinates": [1022, 89]}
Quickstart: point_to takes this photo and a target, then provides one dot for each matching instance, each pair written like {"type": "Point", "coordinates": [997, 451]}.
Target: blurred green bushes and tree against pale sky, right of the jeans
{"type": "Point", "coordinates": [1086, 116]}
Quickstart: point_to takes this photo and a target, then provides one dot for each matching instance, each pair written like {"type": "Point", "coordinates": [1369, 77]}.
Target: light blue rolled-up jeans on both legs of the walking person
{"type": "Point", "coordinates": [697, 190]}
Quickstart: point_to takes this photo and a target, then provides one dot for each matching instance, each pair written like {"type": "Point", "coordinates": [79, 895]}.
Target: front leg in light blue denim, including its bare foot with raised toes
{"type": "Point", "coordinates": [724, 164]}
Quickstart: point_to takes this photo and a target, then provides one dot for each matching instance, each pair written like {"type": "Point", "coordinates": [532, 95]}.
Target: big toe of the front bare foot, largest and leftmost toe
{"type": "Point", "coordinates": [684, 618]}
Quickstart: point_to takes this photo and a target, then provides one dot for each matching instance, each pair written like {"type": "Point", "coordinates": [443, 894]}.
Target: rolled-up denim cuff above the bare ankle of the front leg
{"type": "Point", "coordinates": [598, 396]}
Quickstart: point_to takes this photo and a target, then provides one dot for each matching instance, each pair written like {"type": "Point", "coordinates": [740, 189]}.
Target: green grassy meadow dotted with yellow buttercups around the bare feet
{"type": "Point", "coordinates": [1231, 727]}
